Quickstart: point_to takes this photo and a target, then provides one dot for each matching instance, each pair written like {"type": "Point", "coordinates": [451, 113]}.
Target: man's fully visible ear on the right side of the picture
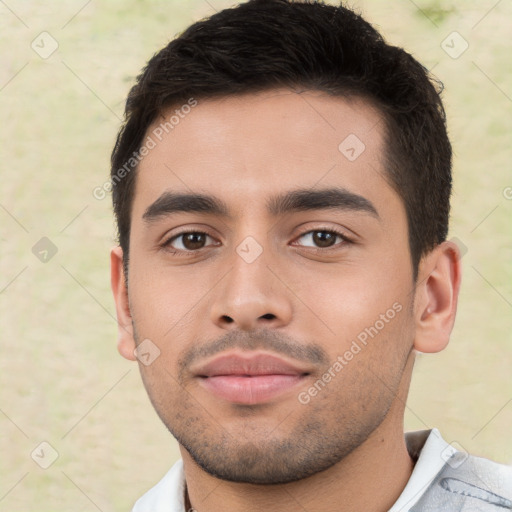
{"type": "Point", "coordinates": [437, 292]}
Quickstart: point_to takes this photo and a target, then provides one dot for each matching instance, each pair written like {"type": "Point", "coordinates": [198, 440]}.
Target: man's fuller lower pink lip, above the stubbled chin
{"type": "Point", "coordinates": [250, 390]}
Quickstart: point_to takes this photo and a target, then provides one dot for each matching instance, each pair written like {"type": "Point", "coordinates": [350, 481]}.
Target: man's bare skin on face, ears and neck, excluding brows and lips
{"type": "Point", "coordinates": [306, 302]}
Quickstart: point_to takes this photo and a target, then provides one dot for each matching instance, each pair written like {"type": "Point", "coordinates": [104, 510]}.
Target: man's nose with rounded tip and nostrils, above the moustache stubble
{"type": "Point", "coordinates": [251, 297]}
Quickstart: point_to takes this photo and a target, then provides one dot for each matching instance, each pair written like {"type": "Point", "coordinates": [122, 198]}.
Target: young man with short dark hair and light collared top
{"type": "Point", "coordinates": [281, 187]}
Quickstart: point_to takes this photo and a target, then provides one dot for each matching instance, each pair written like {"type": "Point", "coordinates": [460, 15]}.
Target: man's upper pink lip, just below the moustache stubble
{"type": "Point", "coordinates": [252, 364]}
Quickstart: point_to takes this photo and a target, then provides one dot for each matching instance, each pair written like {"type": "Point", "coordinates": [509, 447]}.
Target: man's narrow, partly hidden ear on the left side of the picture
{"type": "Point", "coordinates": [125, 339]}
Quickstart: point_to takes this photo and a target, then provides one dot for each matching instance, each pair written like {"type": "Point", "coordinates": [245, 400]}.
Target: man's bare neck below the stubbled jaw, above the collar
{"type": "Point", "coordinates": [370, 478]}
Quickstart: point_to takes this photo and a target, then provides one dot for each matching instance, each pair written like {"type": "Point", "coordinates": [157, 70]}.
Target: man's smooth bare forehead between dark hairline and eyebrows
{"type": "Point", "coordinates": [245, 148]}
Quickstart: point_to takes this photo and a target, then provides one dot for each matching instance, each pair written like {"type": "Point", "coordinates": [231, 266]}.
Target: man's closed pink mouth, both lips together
{"type": "Point", "coordinates": [249, 379]}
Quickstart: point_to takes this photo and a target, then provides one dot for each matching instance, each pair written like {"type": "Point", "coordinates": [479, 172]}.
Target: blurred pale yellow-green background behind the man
{"type": "Point", "coordinates": [61, 378]}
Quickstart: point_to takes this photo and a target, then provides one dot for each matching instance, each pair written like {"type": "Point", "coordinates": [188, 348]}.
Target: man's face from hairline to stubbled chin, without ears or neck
{"type": "Point", "coordinates": [252, 313]}
